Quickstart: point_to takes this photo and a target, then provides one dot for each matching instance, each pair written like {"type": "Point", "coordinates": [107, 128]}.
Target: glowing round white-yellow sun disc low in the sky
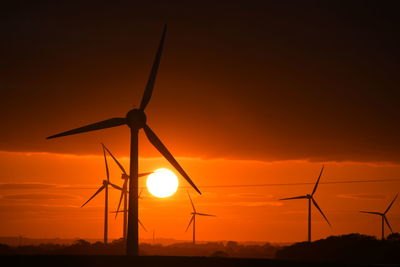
{"type": "Point", "coordinates": [162, 183]}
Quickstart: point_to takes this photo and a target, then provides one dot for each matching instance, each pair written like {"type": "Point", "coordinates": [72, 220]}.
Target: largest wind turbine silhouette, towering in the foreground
{"type": "Point", "coordinates": [136, 120]}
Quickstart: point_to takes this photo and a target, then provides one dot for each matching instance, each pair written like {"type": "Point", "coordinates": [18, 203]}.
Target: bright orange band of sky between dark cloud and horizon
{"type": "Point", "coordinates": [245, 213]}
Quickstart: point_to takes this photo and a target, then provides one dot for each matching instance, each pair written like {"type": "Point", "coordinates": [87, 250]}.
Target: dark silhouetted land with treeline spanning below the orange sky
{"type": "Point", "coordinates": [345, 250]}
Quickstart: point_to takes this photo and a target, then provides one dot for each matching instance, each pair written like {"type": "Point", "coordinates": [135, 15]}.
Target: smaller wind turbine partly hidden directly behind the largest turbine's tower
{"type": "Point", "coordinates": [124, 192]}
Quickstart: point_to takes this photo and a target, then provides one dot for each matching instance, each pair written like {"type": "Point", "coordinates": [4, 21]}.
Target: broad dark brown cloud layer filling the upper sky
{"type": "Point", "coordinates": [239, 79]}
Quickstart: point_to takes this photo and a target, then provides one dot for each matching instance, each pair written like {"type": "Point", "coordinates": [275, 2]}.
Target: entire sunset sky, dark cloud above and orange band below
{"type": "Point", "coordinates": [247, 93]}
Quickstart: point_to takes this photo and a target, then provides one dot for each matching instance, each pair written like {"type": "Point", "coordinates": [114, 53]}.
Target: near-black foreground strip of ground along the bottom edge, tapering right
{"type": "Point", "coordinates": [156, 261]}
